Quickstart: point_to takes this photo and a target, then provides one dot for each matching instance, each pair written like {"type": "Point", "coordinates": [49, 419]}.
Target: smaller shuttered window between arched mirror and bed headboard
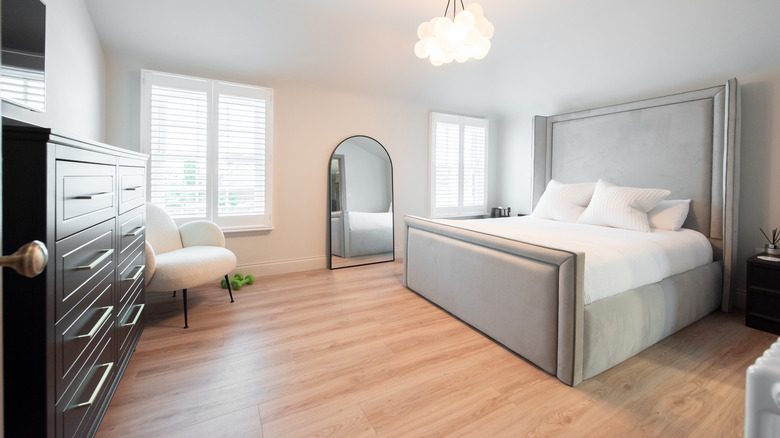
{"type": "Point", "coordinates": [458, 158]}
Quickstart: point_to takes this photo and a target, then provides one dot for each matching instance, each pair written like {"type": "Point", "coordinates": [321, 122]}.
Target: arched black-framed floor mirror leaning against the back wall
{"type": "Point", "coordinates": [360, 199]}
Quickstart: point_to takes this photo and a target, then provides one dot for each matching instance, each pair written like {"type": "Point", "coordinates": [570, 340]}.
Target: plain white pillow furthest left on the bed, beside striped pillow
{"type": "Point", "coordinates": [563, 202]}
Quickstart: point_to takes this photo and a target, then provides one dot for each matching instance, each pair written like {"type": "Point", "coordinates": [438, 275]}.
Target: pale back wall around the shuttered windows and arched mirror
{"type": "Point", "coordinates": [308, 124]}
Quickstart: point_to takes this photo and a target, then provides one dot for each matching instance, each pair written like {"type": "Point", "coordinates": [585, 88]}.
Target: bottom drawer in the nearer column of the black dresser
{"type": "Point", "coordinates": [81, 404]}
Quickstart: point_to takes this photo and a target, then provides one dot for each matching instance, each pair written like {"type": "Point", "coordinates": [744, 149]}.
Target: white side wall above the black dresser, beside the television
{"type": "Point", "coordinates": [75, 74]}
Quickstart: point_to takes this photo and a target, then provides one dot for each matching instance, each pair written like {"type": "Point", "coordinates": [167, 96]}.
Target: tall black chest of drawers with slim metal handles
{"type": "Point", "coordinates": [68, 333]}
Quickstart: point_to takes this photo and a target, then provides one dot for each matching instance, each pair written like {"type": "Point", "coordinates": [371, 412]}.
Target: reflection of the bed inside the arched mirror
{"type": "Point", "coordinates": [358, 233]}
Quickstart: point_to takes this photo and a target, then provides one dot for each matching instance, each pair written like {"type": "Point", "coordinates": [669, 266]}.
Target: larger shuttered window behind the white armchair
{"type": "Point", "coordinates": [210, 147]}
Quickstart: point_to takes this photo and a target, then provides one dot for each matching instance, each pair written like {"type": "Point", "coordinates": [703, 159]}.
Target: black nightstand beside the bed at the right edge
{"type": "Point", "coordinates": [762, 308]}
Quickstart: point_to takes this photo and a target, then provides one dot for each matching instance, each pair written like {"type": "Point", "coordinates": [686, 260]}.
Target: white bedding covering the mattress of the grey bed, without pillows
{"type": "Point", "coordinates": [616, 260]}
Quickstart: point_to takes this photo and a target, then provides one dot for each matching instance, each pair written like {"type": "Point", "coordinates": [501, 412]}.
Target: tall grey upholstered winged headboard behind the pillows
{"type": "Point", "coordinates": [687, 143]}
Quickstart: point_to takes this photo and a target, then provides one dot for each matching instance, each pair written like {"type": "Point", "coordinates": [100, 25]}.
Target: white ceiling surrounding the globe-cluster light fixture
{"type": "Point", "coordinates": [544, 52]}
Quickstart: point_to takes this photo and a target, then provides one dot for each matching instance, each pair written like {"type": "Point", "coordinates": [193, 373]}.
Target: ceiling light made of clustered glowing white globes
{"type": "Point", "coordinates": [465, 35]}
